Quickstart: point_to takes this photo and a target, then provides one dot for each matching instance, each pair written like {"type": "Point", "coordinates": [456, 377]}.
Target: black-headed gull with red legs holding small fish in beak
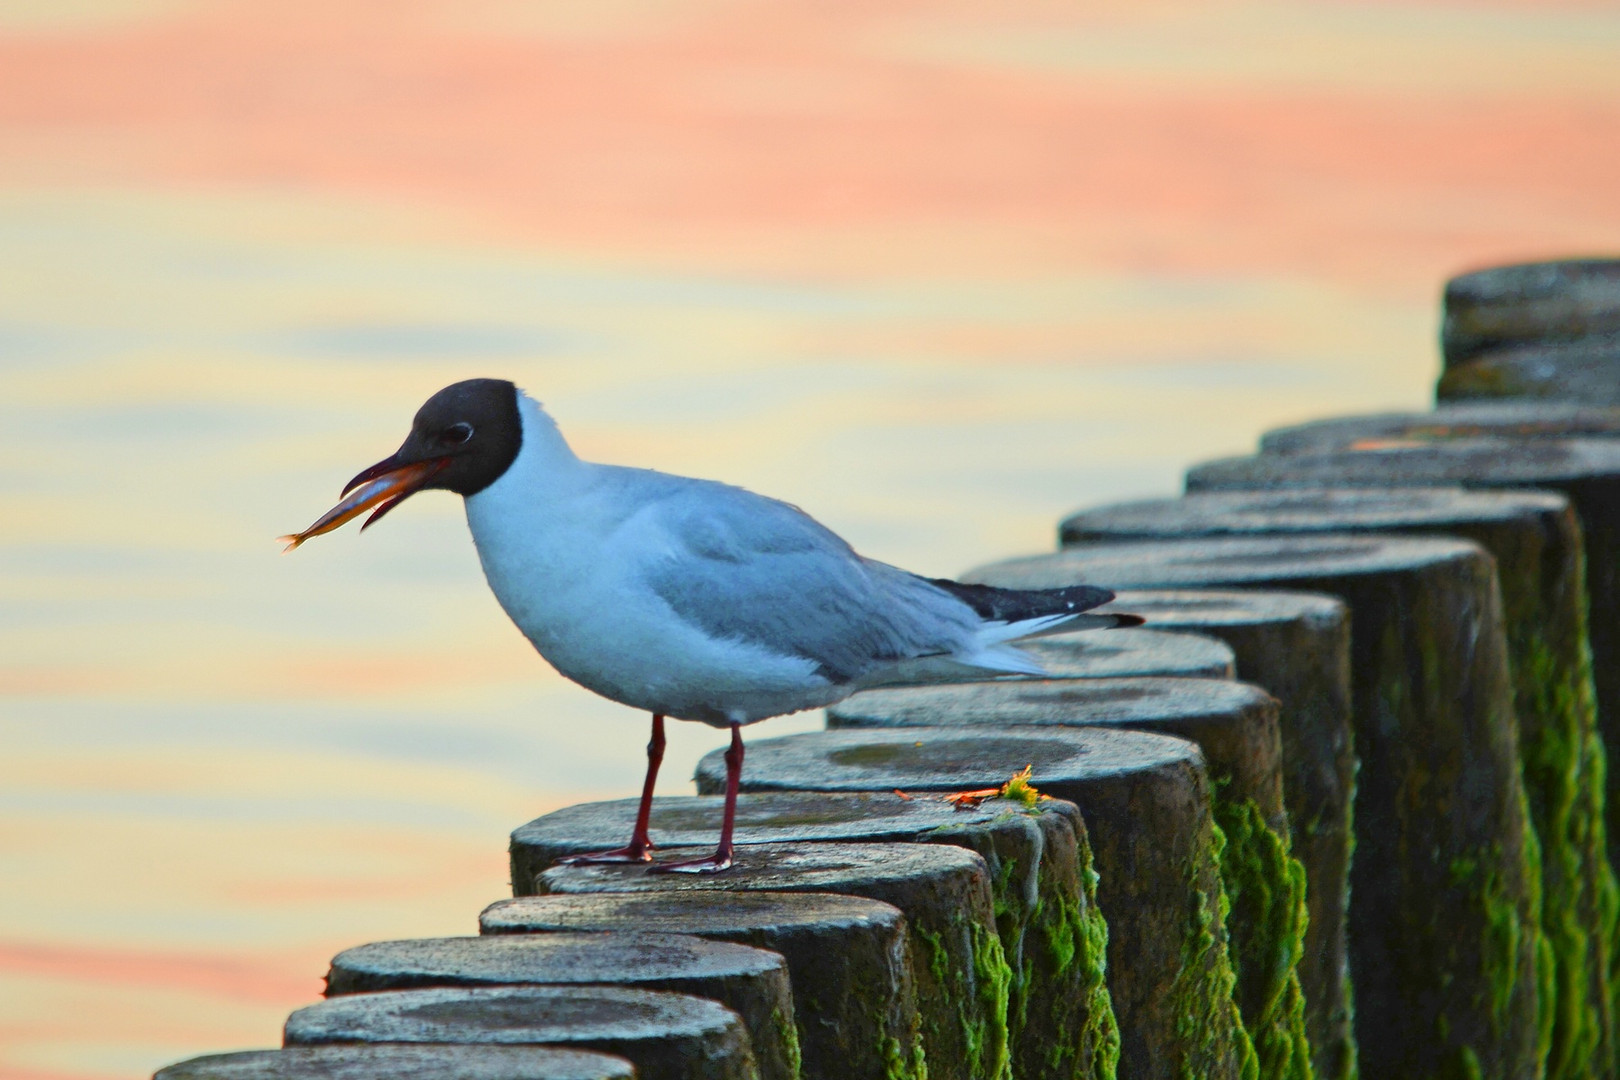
{"type": "Point", "coordinates": [689, 598]}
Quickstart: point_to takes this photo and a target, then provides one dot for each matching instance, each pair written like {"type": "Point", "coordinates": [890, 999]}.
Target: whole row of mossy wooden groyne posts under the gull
{"type": "Point", "coordinates": [1342, 807]}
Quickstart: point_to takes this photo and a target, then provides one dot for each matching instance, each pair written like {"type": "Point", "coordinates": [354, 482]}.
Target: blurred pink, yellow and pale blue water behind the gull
{"type": "Point", "coordinates": [934, 271]}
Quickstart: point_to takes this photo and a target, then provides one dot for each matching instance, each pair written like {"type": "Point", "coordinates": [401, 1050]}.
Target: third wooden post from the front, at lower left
{"type": "Point", "coordinates": [751, 982]}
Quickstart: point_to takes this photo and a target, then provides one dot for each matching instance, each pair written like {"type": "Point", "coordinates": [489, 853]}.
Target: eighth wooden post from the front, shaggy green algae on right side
{"type": "Point", "coordinates": [1235, 726]}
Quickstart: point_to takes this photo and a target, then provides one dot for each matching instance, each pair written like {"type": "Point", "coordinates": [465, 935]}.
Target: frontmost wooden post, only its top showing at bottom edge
{"type": "Point", "coordinates": [403, 1063]}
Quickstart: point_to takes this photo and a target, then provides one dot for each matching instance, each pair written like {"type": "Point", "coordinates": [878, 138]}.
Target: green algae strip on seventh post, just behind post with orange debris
{"type": "Point", "coordinates": [1208, 1021]}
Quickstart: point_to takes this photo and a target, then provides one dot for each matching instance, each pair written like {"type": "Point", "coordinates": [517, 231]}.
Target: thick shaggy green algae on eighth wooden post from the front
{"type": "Point", "coordinates": [1266, 888]}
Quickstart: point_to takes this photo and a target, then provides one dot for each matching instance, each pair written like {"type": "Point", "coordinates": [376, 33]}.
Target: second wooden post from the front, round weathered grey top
{"type": "Point", "coordinates": [667, 1037]}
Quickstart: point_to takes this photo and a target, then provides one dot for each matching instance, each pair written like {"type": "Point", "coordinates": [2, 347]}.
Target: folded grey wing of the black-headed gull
{"type": "Point", "coordinates": [752, 569]}
